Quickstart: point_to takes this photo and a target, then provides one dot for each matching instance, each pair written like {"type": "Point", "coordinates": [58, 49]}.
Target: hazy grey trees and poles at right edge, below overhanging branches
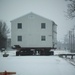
{"type": "Point", "coordinates": [69, 40]}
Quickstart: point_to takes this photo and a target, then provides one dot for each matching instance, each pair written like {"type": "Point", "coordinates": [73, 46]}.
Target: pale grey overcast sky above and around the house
{"type": "Point", "coordinates": [51, 9]}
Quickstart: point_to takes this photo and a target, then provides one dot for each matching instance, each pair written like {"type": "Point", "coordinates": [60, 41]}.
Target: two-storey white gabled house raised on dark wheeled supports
{"type": "Point", "coordinates": [32, 30]}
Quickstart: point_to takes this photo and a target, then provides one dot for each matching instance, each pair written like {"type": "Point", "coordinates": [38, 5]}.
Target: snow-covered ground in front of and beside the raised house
{"type": "Point", "coordinates": [36, 65]}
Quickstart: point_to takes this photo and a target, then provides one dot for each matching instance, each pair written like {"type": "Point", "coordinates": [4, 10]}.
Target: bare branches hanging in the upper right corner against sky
{"type": "Point", "coordinates": [71, 8]}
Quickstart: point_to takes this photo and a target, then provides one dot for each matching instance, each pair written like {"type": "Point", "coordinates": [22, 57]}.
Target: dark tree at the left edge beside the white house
{"type": "Point", "coordinates": [3, 34]}
